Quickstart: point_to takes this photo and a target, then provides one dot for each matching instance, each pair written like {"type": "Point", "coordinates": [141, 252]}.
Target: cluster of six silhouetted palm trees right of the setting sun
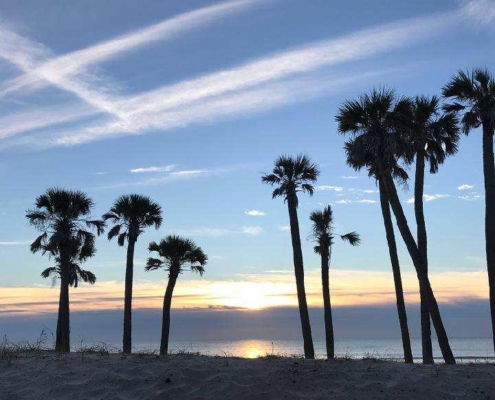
{"type": "Point", "coordinates": [386, 133]}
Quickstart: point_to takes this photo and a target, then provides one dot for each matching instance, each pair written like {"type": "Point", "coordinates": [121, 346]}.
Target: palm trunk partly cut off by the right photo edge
{"type": "Point", "coordinates": [489, 174]}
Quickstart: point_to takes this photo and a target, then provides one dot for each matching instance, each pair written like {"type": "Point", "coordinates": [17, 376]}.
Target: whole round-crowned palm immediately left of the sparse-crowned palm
{"type": "Point", "coordinates": [292, 175]}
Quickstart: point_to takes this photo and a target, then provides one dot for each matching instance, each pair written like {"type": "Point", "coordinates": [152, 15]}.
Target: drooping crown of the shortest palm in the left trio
{"type": "Point", "coordinates": [177, 252]}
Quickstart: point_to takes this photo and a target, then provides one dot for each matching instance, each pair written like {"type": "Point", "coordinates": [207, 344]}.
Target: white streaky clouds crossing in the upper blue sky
{"type": "Point", "coordinates": [200, 99]}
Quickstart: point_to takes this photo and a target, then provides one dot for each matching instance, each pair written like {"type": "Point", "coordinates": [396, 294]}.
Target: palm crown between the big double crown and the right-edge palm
{"type": "Point", "coordinates": [434, 133]}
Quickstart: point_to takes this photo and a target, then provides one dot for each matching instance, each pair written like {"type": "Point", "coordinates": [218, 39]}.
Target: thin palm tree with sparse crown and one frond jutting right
{"type": "Point", "coordinates": [323, 235]}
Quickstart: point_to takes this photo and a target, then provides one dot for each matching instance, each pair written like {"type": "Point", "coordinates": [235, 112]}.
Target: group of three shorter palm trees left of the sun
{"type": "Point", "coordinates": [67, 236]}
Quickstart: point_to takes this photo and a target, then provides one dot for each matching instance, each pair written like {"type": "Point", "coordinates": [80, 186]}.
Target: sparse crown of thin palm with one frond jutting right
{"type": "Point", "coordinates": [323, 231]}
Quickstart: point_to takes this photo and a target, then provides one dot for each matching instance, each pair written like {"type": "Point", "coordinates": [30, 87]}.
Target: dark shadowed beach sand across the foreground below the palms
{"type": "Point", "coordinates": [69, 377]}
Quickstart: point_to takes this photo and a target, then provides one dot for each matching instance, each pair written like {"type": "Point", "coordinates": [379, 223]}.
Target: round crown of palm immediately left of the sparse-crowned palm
{"type": "Point", "coordinates": [292, 175]}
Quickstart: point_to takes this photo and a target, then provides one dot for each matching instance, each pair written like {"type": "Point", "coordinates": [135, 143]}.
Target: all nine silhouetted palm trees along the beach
{"type": "Point", "coordinates": [385, 133]}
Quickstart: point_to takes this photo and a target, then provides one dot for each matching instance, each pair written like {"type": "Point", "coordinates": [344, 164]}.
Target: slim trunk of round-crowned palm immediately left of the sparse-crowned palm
{"type": "Point", "coordinates": [309, 351]}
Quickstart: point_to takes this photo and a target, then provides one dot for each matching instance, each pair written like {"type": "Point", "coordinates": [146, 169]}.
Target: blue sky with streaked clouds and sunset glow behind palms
{"type": "Point", "coordinates": [189, 103]}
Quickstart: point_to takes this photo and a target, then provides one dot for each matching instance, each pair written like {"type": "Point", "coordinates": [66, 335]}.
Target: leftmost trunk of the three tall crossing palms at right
{"type": "Point", "coordinates": [394, 260]}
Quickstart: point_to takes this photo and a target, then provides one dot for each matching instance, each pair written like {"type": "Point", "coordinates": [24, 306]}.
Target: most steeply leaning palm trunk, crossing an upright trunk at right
{"type": "Point", "coordinates": [424, 282]}
